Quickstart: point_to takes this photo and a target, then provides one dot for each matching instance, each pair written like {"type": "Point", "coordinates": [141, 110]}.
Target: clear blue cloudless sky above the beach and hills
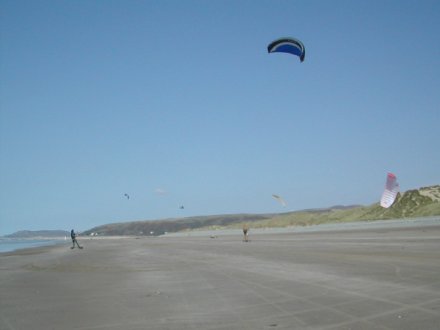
{"type": "Point", "coordinates": [178, 103]}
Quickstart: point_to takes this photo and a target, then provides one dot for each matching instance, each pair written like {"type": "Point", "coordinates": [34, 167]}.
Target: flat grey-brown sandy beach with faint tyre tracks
{"type": "Point", "coordinates": [363, 278]}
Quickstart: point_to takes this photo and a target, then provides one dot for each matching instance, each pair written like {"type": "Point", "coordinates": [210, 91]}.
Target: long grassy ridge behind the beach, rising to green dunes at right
{"type": "Point", "coordinates": [413, 203]}
